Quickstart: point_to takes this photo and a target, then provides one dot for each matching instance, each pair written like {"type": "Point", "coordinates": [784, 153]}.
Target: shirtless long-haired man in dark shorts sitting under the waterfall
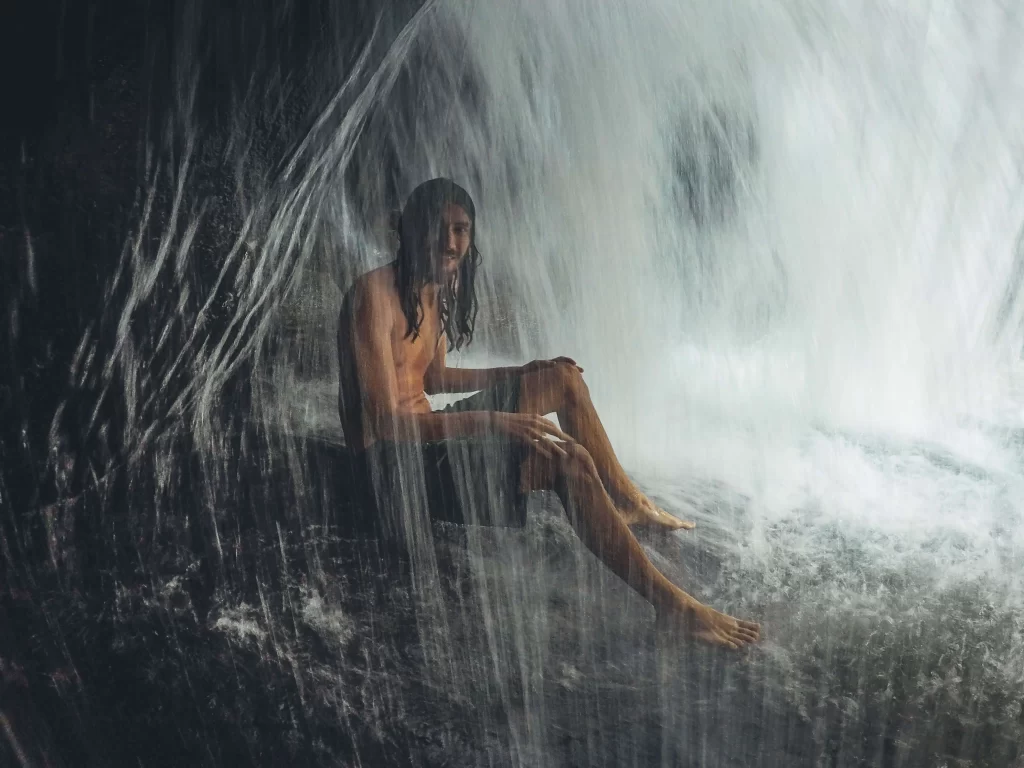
{"type": "Point", "coordinates": [480, 457]}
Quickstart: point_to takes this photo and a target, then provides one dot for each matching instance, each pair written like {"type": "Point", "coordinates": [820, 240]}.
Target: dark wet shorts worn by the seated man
{"type": "Point", "coordinates": [466, 481]}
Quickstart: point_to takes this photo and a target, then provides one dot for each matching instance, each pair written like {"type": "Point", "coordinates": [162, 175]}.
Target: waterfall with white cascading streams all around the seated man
{"type": "Point", "coordinates": [785, 242]}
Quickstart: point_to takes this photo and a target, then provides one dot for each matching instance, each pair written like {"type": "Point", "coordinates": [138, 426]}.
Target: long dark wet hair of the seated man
{"type": "Point", "coordinates": [419, 226]}
